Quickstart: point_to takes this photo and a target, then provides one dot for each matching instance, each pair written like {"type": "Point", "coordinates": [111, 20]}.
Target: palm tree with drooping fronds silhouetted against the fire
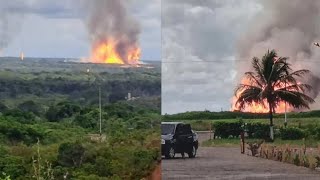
{"type": "Point", "coordinates": [272, 82]}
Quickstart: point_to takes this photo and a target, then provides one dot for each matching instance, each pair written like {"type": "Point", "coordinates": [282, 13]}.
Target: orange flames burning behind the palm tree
{"type": "Point", "coordinates": [257, 107]}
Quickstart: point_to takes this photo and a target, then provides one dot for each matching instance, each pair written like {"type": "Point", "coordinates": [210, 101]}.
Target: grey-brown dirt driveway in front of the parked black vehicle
{"type": "Point", "coordinates": [228, 163]}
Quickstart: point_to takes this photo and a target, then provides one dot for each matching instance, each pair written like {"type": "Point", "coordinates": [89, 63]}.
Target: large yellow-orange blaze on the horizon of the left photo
{"type": "Point", "coordinates": [106, 52]}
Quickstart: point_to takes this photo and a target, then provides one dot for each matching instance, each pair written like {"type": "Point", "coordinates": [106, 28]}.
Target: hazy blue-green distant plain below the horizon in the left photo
{"type": "Point", "coordinates": [48, 81]}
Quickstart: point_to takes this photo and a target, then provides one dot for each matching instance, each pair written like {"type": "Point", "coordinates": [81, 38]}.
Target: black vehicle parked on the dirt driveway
{"type": "Point", "coordinates": [177, 137]}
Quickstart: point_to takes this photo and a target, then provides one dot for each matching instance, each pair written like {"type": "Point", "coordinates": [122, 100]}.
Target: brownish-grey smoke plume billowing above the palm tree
{"type": "Point", "coordinates": [290, 27]}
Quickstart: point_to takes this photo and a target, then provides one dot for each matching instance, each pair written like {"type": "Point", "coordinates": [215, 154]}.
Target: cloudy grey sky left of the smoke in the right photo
{"type": "Point", "coordinates": [194, 32]}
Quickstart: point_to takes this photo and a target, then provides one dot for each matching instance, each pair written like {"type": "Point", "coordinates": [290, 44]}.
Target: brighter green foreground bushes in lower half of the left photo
{"type": "Point", "coordinates": [130, 151]}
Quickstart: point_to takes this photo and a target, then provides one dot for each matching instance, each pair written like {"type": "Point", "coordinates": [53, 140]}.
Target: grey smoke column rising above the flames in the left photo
{"type": "Point", "coordinates": [110, 19]}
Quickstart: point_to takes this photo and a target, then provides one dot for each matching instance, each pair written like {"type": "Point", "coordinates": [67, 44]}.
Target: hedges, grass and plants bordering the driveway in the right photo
{"type": "Point", "coordinates": [296, 143]}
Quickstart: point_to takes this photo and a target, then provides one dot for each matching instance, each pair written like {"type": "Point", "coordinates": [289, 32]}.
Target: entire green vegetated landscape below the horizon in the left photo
{"type": "Point", "coordinates": [49, 123]}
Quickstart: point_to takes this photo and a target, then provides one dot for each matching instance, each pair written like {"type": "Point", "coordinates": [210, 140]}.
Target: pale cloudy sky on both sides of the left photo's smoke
{"type": "Point", "coordinates": [50, 28]}
